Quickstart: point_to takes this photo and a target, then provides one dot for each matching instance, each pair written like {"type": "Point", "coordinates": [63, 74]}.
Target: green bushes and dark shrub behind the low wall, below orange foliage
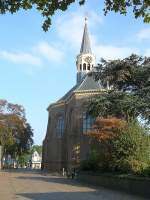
{"type": "Point", "coordinates": [127, 152]}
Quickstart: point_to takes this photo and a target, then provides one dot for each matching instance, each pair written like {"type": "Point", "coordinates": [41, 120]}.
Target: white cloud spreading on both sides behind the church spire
{"type": "Point", "coordinates": [70, 31]}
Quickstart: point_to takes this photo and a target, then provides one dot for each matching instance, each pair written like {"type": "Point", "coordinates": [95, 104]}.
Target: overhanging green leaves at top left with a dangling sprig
{"type": "Point", "coordinates": [46, 8]}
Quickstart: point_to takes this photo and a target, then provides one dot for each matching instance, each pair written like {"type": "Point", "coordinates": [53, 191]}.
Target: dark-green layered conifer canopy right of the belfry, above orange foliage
{"type": "Point", "coordinates": [129, 89]}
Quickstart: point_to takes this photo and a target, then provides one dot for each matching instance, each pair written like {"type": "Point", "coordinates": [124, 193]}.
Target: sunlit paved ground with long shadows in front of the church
{"type": "Point", "coordinates": [27, 185]}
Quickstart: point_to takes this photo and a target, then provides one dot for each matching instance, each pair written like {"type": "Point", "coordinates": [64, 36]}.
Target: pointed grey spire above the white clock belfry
{"type": "Point", "coordinates": [85, 47]}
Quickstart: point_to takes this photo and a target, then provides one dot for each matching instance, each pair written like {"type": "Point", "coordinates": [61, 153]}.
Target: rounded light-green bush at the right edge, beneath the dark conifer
{"type": "Point", "coordinates": [130, 149]}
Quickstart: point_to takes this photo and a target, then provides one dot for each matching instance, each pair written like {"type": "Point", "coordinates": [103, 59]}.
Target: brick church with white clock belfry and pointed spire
{"type": "Point", "coordinates": [66, 143]}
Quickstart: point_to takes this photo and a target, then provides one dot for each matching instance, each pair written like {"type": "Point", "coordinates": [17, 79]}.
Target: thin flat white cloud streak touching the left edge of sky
{"type": "Point", "coordinates": [20, 57]}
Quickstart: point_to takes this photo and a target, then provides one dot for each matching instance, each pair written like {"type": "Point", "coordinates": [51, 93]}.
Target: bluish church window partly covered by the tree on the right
{"type": "Point", "coordinates": [88, 122]}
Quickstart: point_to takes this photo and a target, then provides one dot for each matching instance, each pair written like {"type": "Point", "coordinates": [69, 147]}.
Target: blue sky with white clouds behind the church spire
{"type": "Point", "coordinates": [38, 68]}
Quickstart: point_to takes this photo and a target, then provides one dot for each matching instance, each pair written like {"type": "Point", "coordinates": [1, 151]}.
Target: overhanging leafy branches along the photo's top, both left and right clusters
{"type": "Point", "coordinates": [47, 8]}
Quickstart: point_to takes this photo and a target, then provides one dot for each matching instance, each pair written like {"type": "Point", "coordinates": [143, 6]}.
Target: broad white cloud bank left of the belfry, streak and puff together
{"type": "Point", "coordinates": [35, 58]}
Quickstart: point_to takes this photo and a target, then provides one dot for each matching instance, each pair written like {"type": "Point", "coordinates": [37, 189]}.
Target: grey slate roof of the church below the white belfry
{"type": "Point", "coordinates": [87, 84]}
